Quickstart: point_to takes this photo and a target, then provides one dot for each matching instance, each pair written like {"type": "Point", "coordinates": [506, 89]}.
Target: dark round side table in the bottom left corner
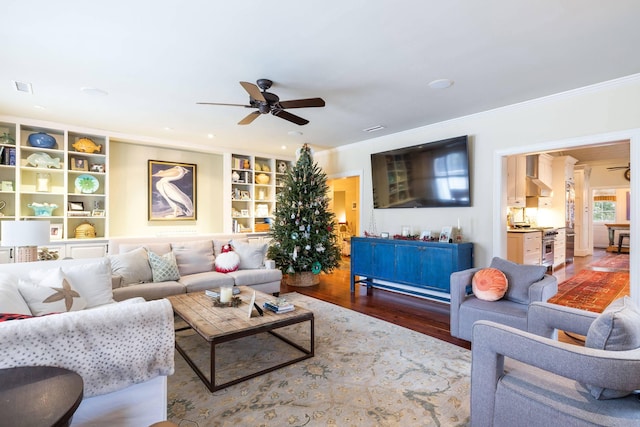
{"type": "Point", "coordinates": [37, 396]}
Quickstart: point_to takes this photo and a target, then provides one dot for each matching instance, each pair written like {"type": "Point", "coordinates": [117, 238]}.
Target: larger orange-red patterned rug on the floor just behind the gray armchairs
{"type": "Point", "coordinates": [592, 290]}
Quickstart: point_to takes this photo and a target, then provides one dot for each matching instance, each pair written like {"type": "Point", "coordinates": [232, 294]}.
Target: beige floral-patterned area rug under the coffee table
{"type": "Point", "coordinates": [366, 372]}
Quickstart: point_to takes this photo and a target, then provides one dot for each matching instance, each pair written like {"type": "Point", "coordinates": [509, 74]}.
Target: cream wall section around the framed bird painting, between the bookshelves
{"type": "Point", "coordinates": [128, 191]}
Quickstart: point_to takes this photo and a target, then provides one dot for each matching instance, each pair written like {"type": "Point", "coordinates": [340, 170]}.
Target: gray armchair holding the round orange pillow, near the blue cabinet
{"type": "Point", "coordinates": [527, 283]}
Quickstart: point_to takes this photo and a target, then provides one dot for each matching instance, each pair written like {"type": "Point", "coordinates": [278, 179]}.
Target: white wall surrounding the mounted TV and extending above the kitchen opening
{"type": "Point", "coordinates": [600, 109]}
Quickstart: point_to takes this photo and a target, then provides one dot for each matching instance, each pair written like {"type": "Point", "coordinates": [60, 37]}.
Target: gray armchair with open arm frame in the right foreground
{"type": "Point", "coordinates": [520, 378]}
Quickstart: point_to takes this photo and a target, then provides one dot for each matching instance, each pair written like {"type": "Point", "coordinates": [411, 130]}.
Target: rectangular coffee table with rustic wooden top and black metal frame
{"type": "Point", "coordinates": [217, 325]}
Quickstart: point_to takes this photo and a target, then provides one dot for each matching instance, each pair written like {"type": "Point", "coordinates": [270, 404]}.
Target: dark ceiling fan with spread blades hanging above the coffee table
{"type": "Point", "coordinates": [267, 102]}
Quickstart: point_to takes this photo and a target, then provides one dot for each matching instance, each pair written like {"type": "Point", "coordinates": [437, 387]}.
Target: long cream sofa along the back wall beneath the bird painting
{"type": "Point", "coordinates": [195, 257]}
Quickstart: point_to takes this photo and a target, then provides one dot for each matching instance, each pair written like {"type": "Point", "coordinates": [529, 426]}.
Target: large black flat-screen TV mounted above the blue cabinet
{"type": "Point", "coordinates": [431, 175]}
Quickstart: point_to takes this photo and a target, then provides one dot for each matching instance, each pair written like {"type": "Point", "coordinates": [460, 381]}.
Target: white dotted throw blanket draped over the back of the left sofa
{"type": "Point", "coordinates": [111, 347]}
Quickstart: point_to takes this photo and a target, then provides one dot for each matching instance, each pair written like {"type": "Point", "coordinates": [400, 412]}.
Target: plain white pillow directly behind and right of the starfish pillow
{"type": "Point", "coordinates": [91, 279]}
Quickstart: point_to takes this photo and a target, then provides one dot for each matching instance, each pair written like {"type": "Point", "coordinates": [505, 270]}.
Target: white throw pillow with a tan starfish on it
{"type": "Point", "coordinates": [54, 294]}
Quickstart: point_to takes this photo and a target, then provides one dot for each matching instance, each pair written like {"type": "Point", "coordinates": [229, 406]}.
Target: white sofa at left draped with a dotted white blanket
{"type": "Point", "coordinates": [123, 351]}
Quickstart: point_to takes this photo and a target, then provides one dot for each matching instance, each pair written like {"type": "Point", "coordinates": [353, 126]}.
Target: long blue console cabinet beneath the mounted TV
{"type": "Point", "coordinates": [410, 266]}
